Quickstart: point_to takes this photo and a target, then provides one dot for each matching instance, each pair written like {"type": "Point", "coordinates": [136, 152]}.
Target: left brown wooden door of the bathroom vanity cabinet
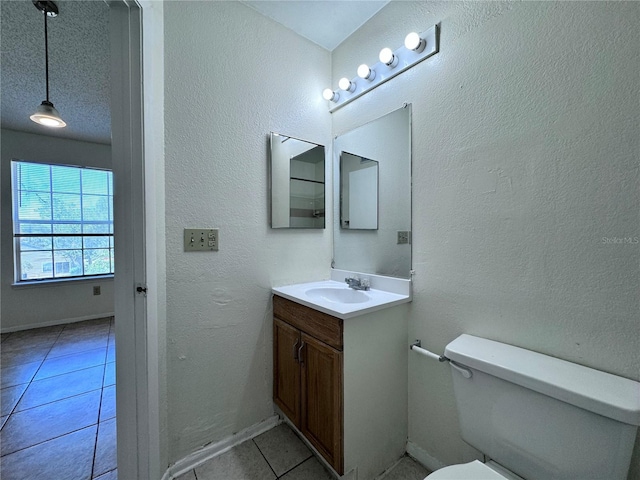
{"type": "Point", "coordinates": [286, 369]}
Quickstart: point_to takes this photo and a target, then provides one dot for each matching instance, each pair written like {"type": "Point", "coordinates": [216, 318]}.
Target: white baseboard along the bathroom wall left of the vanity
{"type": "Point", "coordinates": [210, 451]}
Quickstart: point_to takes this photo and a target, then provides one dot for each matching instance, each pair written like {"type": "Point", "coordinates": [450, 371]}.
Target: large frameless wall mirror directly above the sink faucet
{"type": "Point", "coordinates": [386, 141]}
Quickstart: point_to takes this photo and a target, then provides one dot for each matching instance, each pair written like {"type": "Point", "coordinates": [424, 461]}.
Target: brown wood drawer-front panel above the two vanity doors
{"type": "Point", "coordinates": [320, 325]}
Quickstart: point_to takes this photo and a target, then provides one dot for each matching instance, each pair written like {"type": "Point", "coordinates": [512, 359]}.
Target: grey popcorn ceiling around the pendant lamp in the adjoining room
{"type": "Point", "coordinates": [78, 68]}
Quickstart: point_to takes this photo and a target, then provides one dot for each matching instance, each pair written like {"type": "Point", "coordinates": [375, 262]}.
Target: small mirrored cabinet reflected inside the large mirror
{"type": "Point", "coordinates": [358, 192]}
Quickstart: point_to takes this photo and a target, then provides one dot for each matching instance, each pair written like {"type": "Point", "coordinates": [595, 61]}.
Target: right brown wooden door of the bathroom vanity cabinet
{"type": "Point", "coordinates": [321, 420]}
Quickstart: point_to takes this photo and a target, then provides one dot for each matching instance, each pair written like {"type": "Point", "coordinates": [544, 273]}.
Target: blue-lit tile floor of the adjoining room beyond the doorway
{"type": "Point", "coordinates": [57, 408]}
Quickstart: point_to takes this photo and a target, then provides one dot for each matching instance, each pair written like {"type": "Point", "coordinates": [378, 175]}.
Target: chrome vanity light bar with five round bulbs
{"type": "Point", "coordinates": [416, 47]}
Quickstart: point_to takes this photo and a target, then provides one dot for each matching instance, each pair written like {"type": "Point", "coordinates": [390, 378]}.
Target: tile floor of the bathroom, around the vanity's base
{"type": "Point", "coordinates": [280, 454]}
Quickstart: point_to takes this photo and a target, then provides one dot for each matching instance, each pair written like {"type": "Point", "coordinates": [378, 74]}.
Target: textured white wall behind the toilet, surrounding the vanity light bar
{"type": "Point", "coordinates": [525, 160]}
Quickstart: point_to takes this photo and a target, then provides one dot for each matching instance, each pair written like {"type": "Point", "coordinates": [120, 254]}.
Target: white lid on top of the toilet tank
{"type": "Point", "coordinates": [599, 392]}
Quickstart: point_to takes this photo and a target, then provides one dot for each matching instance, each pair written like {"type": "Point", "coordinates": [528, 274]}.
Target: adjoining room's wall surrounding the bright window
{"type": "Point", "coordinates": [29, 307]}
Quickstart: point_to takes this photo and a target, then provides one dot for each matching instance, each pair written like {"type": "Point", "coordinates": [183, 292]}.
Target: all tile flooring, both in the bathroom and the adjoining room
{"type": "Point", "coordinates": [57, 416]}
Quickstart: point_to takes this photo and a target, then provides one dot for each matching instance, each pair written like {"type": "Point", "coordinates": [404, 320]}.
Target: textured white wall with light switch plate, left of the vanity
{"type": "Point", "coordinates": [231, 77]}
